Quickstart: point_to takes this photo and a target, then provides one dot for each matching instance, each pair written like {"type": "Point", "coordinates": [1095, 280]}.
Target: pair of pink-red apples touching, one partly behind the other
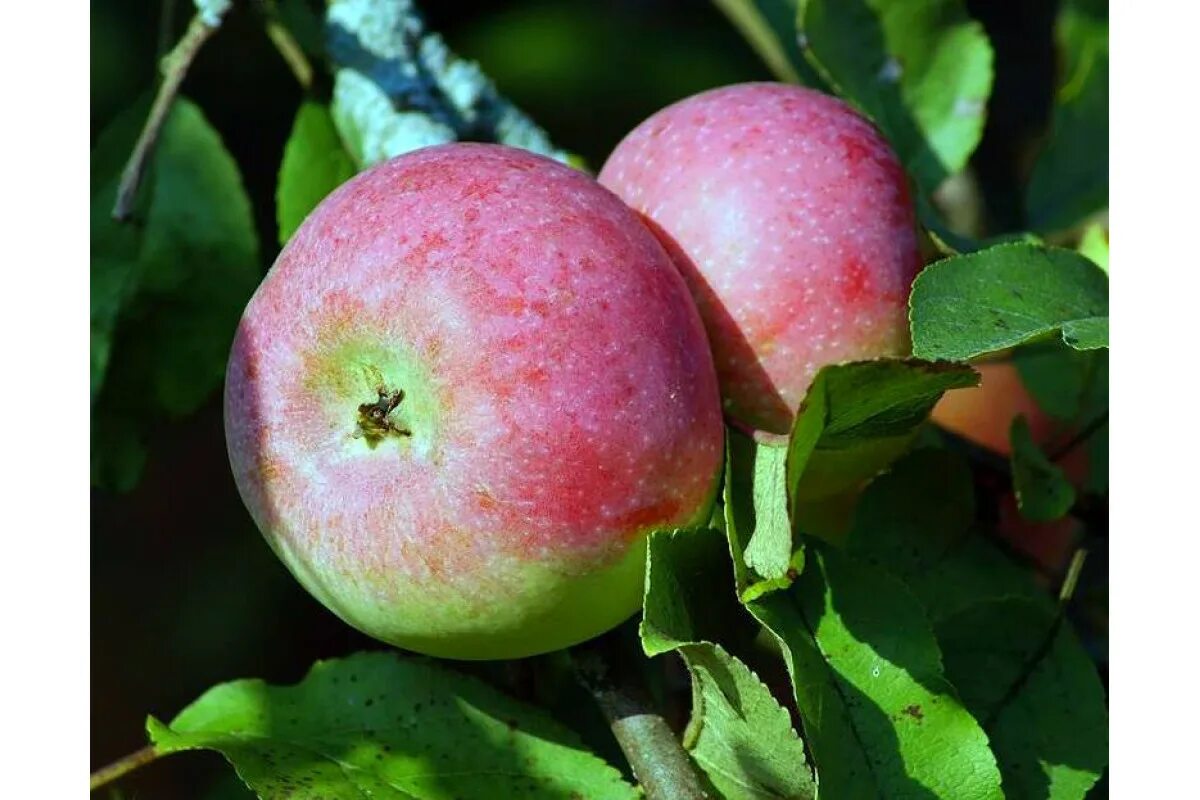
{"type": "Point", "coordinates": [476, 378]}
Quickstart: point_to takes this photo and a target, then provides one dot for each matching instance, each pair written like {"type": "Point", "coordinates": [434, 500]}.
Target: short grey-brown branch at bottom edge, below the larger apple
{"type": "Point", "coordinates": [652, 749]}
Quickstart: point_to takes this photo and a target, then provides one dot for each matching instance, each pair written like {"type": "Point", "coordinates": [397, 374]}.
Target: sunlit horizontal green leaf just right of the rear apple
{"type": "Point", "coordinates": [967, 306]}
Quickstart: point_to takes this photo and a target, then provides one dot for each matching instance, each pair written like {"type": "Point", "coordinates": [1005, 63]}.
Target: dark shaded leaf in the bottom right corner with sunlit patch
{"type": "Point", "coordinates": [1030, 679]}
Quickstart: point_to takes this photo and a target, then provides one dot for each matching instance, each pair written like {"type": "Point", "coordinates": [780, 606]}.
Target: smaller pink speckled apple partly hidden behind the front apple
{"type": "Point", "coordinates": [793, 222]}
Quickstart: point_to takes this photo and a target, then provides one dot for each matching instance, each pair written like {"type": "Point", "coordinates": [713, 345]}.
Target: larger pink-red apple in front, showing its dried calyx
{"type": "Point", "coordinates": [560, 402]}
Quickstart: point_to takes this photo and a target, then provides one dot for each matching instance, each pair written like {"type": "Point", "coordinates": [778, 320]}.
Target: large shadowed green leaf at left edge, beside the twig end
{"type": "Point", "coordinates": [167, 291]}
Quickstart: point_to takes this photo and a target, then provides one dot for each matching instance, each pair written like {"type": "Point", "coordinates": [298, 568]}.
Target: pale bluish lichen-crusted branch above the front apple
{"type": "Point", "coordinates": [398, 88]}
